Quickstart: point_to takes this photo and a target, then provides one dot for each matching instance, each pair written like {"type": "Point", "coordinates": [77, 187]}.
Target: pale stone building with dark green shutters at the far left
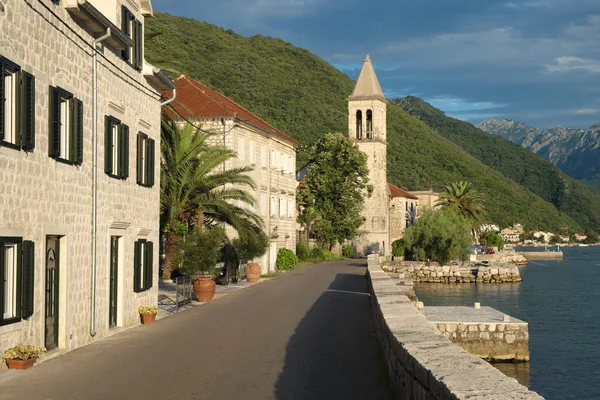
{"type": "Point", "coordinates": [78, 239]}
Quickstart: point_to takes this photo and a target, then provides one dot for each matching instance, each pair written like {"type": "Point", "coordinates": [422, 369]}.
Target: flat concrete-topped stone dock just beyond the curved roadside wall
{"type": "Point", "coordinates": [483, 331]}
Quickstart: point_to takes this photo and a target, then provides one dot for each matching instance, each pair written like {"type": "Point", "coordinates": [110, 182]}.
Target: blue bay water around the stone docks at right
{"type": "Point", "coordinates": [561, 302]}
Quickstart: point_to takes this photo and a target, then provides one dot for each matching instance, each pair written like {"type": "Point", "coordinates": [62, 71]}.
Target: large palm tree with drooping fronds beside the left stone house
{"type": "Point", "coordinates": [196, 191]}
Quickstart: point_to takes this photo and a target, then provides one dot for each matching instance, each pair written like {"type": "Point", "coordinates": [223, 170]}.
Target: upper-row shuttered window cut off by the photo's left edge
{"type": "Point", "coordinates": [17, 107]}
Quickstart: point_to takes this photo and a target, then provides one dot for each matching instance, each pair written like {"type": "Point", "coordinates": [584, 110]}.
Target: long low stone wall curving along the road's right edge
{"type": "Point", "coordinates": [422, 363]}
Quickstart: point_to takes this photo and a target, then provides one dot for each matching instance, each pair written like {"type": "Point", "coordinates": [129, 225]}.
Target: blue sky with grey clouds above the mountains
{"type": "Point", "coordinates": [535, 61]}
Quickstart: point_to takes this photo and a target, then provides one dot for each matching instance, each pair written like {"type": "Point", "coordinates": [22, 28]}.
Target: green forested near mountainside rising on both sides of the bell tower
{"type": "Point", "coordinates": [306, 97]}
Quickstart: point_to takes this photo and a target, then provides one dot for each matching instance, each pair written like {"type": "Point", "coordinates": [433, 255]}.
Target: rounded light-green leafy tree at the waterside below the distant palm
{"type": "Point", "coordinates": [440, 235]}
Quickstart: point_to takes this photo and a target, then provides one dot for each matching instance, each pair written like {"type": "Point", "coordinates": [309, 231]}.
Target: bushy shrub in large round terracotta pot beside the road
{"type": "Point", "coordinates": [197, 254]}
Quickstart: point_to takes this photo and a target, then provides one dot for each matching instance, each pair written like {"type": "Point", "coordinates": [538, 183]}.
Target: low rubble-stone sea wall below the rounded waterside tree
{"type": "Point", "coordinates": [466, 273]}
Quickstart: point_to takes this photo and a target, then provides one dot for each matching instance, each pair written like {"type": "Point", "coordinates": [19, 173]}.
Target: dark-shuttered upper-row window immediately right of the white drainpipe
{"type": "Point", "coordinates": [116, 148]}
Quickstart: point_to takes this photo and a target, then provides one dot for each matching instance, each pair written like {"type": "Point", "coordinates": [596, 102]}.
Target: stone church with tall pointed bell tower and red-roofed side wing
{"type": "Point", "coordinates": [389, 210]}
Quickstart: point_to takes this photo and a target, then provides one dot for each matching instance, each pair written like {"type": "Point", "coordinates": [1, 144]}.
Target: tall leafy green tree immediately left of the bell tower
{"type": "Point", "coordinates": [334, 187]}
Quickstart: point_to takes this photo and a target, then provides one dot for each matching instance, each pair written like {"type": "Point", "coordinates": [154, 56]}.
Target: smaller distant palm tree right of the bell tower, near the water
{"type": "Point", "coordinates": [465, 200]}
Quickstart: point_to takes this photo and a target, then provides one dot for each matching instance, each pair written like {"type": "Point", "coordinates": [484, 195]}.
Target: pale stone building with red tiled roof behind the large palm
{"type": "Point", "coordinates": [270, 152]}
